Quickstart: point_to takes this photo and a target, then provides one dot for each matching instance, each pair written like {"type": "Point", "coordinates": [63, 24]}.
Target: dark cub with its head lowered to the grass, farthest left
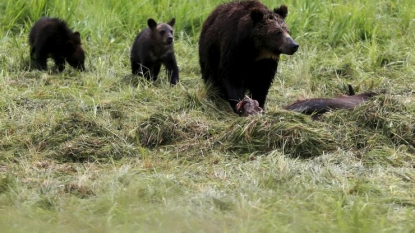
{"type": "Point", "coordinates": [51, 37]}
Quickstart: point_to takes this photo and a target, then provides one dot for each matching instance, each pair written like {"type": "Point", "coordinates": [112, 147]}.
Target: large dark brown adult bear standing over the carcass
{"type": "Point", "coordinates": [239, 49]}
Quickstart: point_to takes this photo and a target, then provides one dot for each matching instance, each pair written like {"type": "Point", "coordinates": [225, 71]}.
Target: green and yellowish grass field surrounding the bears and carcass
{"type": "Point", "coordinates": [89, 152]}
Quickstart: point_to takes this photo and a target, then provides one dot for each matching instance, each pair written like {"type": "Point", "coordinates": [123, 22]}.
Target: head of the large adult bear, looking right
{"type": "Point", "coordinates": [271, 34]}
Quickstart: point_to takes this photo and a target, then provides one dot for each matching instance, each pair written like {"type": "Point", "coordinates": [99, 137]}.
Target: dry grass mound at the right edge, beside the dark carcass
{"type": "Point", "coordinates": [381, 121]}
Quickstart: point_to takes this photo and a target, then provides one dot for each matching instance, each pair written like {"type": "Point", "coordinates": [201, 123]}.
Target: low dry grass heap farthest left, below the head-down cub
{"type": "Point", "coordinates": [77, 138]}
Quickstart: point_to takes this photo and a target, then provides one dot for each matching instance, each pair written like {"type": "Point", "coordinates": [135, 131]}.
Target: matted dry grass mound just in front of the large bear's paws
{"type": "Point", "coordinates": [293, 133]}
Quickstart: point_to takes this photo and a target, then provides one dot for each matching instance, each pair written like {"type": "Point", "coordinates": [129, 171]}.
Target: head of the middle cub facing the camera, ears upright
{"type": "Point", "coordinates": [163, 32]}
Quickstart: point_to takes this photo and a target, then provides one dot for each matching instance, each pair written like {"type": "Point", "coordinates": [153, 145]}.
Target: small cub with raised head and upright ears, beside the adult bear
{"type": "Point", "coordinates": [153, 47]}
